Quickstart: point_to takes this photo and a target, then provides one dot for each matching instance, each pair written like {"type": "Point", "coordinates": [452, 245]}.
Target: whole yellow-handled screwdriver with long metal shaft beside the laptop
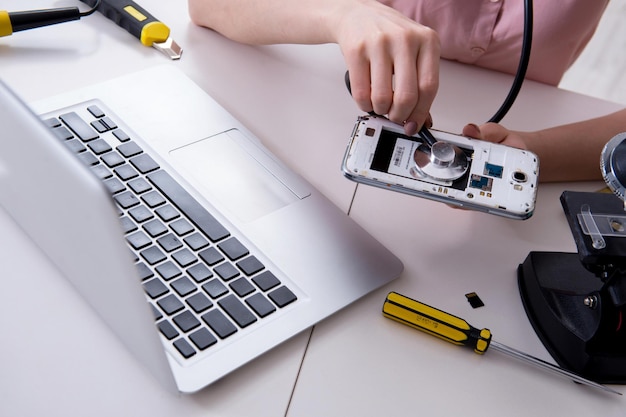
{"type": "Point", "coordinates": [456, 330]}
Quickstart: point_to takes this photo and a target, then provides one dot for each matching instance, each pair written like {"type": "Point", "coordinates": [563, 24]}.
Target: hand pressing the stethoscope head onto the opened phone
{"type": "Point", "coordinates": [393, 63]}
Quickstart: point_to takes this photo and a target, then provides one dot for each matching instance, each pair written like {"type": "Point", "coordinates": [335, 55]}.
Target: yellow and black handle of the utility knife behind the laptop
{"type": "Point", "coordinates": [135, 19]}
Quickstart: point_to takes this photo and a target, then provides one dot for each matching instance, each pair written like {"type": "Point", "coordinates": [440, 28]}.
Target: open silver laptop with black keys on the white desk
{"type": "Point", "coordinates": [196, 245]}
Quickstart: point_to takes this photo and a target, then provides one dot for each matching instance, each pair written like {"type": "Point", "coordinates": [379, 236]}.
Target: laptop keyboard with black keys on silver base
{"type": "Point", "coordinates": [204, 285]}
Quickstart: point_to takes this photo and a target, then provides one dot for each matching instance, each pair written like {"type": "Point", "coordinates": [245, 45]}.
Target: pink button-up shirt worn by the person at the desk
{"type": "Point", "coordinates": [488, 33]}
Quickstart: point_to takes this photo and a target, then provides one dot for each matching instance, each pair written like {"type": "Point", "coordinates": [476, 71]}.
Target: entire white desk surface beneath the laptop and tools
{"type": "Point", "coordinates": [357, 362]}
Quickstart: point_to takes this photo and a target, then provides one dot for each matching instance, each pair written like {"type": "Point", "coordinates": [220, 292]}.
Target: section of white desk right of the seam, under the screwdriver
{"type": "Point", "coordinates": [360, 363]}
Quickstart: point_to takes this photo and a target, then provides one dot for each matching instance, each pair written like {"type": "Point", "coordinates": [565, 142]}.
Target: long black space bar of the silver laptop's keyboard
{"type": "Point", "coordinates": [188, 205]}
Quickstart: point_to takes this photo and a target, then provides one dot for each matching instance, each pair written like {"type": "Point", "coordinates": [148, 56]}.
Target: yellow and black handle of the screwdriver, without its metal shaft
{"type": "Point", "coordinates": [435, 322]}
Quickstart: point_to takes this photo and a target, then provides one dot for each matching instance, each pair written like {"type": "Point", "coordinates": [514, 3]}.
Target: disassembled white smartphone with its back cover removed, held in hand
{"type": "Point", "coordinates": [452, 169]}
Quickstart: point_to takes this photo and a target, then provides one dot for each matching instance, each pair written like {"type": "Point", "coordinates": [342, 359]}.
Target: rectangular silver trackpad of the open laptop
{"type": "Point", "coordinates": [239, 174]}
